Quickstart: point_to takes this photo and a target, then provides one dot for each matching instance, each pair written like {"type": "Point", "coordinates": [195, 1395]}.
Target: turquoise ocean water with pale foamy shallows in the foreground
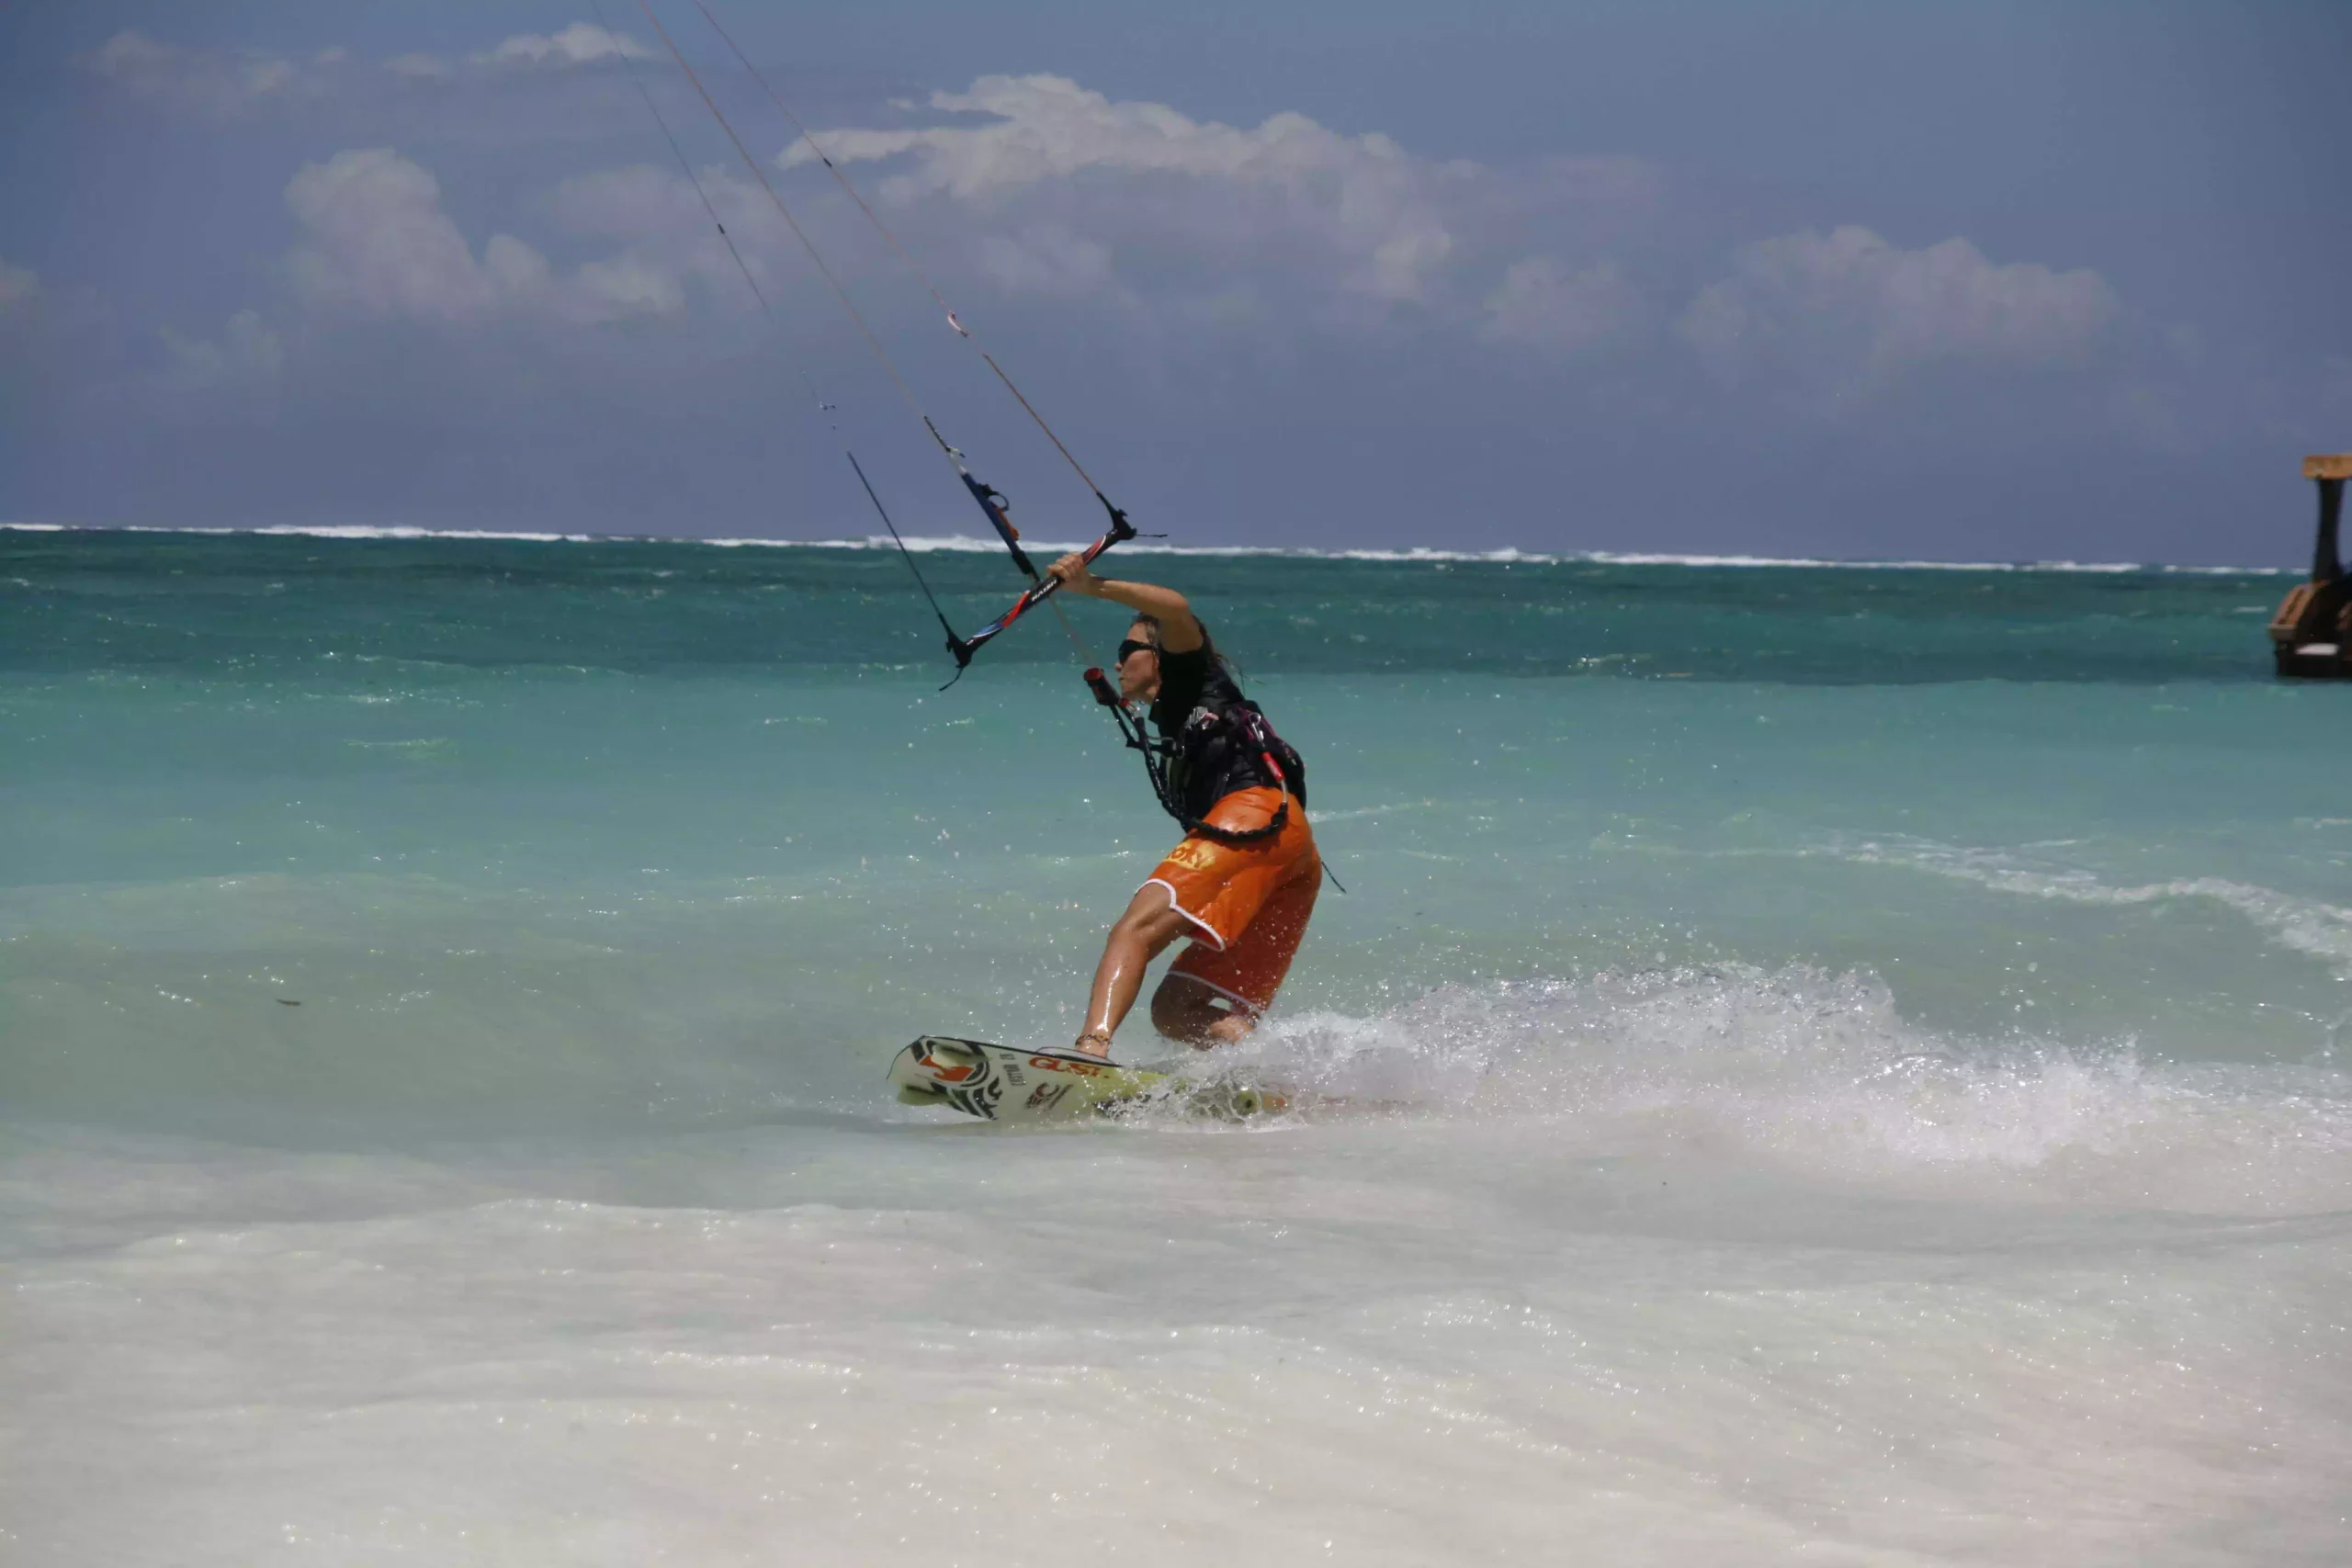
{"type": "Point", "coordinates": [1822, 1064]}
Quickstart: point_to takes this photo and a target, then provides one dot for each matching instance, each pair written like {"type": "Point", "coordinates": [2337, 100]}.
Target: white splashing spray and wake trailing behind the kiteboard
{"type": "Point", "coordinates": [1819, 1073]}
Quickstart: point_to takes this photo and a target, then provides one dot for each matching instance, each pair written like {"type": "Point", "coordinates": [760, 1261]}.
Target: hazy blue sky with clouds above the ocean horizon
{"type": "Point", "coordinates": [2062, 281]}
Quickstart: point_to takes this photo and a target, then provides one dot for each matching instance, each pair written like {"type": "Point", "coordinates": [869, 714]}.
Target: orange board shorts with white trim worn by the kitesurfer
{"type": "Point", "coordinates": [1248, 902]}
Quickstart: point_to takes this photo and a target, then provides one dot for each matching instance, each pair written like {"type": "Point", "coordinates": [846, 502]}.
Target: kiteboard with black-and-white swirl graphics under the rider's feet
{"type": "Point", "coordinates": [1024, 1087]}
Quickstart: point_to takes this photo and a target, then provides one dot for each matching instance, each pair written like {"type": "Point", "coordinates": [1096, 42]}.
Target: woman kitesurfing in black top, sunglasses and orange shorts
{"type": "Point", "coordinates": [1245, 878]}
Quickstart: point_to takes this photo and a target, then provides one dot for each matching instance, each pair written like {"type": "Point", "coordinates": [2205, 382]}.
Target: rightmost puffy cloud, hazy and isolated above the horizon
{"type": "Point", "coordinates": [1847, 309]}
